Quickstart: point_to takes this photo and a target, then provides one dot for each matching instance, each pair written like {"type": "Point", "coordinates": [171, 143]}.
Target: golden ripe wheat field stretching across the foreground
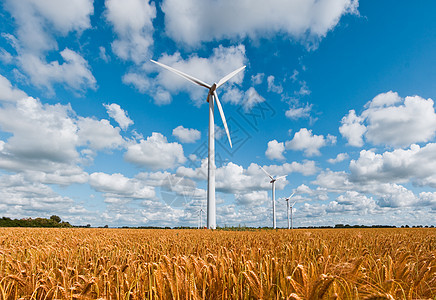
{"type": "Point", "coordinates": [202, 264]}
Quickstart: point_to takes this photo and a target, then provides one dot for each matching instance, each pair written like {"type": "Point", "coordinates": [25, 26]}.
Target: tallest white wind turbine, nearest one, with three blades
{"type": "Point", "coordinates": [212, 96]}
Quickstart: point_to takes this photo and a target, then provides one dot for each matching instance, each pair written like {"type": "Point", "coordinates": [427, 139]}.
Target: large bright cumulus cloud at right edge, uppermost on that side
{"type": "Point", "coordinates": [391, 121]}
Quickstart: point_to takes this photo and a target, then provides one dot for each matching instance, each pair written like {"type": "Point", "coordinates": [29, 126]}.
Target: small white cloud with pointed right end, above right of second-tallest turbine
{"type": "Point", "coordinates": [305, 140]}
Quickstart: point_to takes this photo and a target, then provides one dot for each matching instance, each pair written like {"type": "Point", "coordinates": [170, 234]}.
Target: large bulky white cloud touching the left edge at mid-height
{"type": "Point", "coordinates": [45, 140]}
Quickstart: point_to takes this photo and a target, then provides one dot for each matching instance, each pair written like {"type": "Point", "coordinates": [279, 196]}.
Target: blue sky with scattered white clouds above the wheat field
{"type": "Point", "coordinates": [337, 95]}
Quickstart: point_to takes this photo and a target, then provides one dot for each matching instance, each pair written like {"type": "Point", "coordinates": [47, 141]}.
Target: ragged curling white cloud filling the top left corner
{"type": "Point", "coordinates": [38, 23]}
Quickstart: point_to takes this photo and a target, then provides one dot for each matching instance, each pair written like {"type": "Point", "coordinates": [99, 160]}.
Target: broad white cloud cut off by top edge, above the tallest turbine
{"type": "Point", "coordinates": [191, 22]}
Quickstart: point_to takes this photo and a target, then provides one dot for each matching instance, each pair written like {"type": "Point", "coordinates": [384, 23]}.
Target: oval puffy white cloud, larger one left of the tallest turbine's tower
{"type": "Point", "coordinates": [155, 152]}
